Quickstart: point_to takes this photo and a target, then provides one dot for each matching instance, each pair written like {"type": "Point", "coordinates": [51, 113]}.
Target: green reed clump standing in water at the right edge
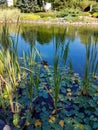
{"type": "Point", "coordinates": [91, 67]}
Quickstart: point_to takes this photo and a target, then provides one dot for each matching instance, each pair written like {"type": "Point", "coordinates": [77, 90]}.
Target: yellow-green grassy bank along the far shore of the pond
{"type": "Point", "coordinates": [11, 15]}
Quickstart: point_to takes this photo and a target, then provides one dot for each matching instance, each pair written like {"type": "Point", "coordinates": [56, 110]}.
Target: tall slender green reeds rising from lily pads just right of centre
{"type": "Point", "coordinates": [61, 52]}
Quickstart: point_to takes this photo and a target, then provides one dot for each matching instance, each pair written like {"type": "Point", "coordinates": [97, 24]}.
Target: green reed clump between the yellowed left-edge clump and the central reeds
{"type": "Point", "coordinates": [32, 79]}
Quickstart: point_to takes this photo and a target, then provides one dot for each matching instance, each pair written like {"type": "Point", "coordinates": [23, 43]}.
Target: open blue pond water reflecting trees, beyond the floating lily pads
{"type": "Point", "coordinates": [70, 43]}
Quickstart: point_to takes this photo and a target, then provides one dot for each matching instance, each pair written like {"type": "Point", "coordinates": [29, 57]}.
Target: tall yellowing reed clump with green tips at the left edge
{"type": "Point", "coordinates": [10, 74]}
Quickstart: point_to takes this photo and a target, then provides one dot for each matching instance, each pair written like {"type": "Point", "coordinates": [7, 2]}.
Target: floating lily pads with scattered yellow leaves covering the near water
{"type": "Point", "coordinates": [73, 111]}
